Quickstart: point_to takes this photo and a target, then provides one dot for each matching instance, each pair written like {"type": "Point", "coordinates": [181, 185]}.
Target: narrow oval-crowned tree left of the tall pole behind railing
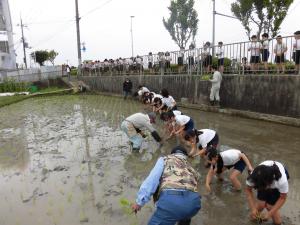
{"type": "Point", "coordinates": [183, 21]}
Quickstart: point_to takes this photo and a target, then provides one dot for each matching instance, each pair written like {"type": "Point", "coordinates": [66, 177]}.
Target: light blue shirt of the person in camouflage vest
{"type": "Point", "coordinates": [151, 183]}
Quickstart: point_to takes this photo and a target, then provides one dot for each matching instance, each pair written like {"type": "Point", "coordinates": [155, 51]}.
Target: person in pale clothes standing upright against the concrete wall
{"type": "Point", "coordinates": [215, 88]}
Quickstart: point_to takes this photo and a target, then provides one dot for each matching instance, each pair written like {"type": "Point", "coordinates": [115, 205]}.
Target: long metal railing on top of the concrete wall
{"type": "Point", "coordinates": [238, 59]}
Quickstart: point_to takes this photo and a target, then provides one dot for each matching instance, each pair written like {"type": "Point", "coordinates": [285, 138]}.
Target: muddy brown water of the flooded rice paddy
{"type": "Point", "coordinates": [64, 161]}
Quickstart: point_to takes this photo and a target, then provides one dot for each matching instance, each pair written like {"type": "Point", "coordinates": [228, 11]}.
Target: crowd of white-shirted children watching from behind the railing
{"type": "Point", "coordinates": [193, 59]}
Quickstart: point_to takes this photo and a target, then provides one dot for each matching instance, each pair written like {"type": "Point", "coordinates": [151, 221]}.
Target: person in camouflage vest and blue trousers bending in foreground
{"type": "Point", "coordinates": [174, 185]}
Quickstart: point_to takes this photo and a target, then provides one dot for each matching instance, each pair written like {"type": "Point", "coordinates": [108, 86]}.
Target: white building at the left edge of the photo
{"type": "Point", "coordinates": [7, 51]}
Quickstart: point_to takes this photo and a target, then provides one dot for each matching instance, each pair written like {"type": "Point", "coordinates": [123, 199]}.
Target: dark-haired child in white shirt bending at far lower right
{"type": "Point", "coordinates": [270, 179]}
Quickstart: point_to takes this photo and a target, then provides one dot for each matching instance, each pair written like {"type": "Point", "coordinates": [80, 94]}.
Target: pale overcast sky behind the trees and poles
{"type": "Point", "coordinates": [105, 26]}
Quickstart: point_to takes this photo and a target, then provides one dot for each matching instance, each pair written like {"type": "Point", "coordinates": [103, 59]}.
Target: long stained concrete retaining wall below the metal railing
{"type": "Point", "coordinates": [278, 95]}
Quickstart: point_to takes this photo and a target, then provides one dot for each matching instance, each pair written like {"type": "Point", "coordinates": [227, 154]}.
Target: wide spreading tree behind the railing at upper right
{"type": "Point", "coordinates": [265, 15]}
